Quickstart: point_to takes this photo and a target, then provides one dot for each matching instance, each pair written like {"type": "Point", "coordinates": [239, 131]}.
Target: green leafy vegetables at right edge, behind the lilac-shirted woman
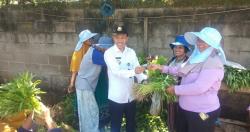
{"type": "Point", "coordinates": [236, 79]}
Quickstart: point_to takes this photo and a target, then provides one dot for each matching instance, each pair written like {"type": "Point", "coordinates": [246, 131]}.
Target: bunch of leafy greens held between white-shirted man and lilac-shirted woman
{"type": "Point", "coordinates": [155, 88]}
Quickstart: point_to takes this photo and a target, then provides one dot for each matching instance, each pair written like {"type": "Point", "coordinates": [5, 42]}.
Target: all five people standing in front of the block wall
{"type": "Point", "coordinates": [199, 78]}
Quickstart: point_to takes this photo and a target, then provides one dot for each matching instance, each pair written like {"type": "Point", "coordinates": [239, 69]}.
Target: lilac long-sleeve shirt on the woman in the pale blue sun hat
{"type": "Point", "coordinates": [198, 91]}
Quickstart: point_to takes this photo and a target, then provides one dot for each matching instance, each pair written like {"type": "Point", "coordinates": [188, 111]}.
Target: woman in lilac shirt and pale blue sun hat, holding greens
{"type": "Point", "coordinates": [201, 76]}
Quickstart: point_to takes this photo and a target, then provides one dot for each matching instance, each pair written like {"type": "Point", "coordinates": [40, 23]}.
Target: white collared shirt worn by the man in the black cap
{"type": "Point", "coordinates": [121, 72]}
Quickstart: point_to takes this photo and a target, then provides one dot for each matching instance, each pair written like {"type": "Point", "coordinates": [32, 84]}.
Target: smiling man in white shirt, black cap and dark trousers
{"type": "Point", "coordinates": [123, 66]}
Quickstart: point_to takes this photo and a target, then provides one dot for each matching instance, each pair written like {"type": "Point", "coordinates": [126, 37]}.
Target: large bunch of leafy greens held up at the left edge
{"type": "Point", "coordinates": [20, 95]}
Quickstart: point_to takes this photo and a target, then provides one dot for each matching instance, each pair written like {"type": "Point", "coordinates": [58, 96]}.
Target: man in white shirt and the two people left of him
{"type": "Point", "coordinates": [122, 66]}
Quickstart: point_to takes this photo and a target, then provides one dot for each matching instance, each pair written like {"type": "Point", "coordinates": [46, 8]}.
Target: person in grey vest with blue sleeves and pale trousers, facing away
{"type": "Point", "coordinates": [86, 82]}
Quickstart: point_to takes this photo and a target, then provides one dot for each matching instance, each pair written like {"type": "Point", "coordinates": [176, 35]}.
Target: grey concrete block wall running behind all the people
{"type": "Point", "coordinates": [42, 41]}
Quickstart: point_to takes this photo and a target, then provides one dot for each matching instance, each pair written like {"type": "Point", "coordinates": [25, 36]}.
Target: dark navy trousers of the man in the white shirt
{"type": "Point", "coordinates": [117, 111]}
